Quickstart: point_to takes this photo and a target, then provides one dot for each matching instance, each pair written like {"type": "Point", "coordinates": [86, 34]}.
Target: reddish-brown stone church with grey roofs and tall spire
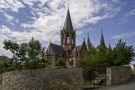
{"type": "Point", "coordinates": [67, 50]}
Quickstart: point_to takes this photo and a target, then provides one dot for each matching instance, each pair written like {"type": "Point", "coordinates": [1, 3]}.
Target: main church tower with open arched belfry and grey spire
{"type": "Point", "coordinates": [68, 34]}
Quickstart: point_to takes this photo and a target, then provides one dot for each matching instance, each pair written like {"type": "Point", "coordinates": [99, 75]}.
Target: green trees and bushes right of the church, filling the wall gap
{"type": "Point", "coordinates": [94, 63]}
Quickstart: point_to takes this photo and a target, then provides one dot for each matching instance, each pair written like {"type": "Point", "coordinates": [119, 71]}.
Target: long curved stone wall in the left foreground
{"type": "Point", "coordinates": [59, 79]}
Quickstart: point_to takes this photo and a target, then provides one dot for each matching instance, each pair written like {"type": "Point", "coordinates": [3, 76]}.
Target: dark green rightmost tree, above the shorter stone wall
{"type": "Point", "coordinates": [123, 54]}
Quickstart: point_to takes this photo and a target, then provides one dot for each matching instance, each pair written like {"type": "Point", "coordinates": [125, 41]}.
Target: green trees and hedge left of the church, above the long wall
{"type": "Point", "coordinates": [25, 56]}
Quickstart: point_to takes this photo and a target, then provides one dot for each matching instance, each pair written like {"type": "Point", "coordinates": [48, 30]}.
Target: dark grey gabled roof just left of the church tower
{"type": "Point", "coordinates": [54, 49]}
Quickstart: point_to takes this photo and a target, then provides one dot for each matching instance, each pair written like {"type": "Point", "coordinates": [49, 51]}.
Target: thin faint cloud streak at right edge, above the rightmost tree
{"type": "Point", "coordinates": [124, 35]}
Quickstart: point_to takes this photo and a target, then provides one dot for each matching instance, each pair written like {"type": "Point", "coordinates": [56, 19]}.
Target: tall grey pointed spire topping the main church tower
{"type": "Point", "coordinates": [68, 23]}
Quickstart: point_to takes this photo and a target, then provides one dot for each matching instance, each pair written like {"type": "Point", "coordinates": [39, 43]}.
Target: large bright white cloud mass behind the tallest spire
{"type": "Point", "coordinates": [50, 20]}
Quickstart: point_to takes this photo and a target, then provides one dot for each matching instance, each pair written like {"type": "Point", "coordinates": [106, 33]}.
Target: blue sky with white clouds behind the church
{"type": "Point", "coordinates": [20, 20]}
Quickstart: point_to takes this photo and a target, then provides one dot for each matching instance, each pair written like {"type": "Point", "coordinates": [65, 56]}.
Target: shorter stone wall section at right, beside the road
{"type": "Point", "coordinates": [118, 74]}
